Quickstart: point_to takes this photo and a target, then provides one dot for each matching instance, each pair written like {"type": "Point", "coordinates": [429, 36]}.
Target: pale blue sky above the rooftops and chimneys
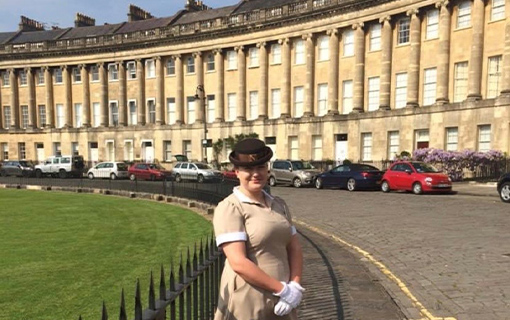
{"type": "Point", "coordinates": [62, 12]}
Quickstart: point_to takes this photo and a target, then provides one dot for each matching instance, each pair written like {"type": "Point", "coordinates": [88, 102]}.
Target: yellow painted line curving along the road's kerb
{"type": "Point", "coordinates": [421, 308]}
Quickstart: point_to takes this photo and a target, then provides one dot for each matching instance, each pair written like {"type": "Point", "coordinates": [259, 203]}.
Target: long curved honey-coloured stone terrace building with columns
{"type": "Point", "coordinates": [315, 79]}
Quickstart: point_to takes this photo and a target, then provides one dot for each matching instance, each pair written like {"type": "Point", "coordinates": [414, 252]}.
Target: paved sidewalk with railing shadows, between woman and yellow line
{"type": "Point", "coordinates": [339, 286]}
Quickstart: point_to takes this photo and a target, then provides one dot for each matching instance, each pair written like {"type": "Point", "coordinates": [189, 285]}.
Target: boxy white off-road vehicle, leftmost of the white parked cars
{"type": "Point", "coordinates": [61, 166]}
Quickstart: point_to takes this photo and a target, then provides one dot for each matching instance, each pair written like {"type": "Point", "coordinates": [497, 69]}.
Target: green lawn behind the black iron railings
{"type": "Point", "coordinates": [62, 254]}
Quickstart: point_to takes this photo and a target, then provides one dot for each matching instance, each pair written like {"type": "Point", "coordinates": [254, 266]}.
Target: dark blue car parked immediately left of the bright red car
{"type": "Point", "coordinates": [351, 177]}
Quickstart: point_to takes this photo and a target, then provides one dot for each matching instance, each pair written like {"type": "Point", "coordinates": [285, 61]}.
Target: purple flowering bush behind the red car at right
{"type": "Point", "coordinates": [456, 162]}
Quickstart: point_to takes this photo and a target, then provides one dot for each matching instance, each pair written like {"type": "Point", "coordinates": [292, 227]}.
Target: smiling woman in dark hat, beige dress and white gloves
{"type": "Point", "coordinates": [262, 272]}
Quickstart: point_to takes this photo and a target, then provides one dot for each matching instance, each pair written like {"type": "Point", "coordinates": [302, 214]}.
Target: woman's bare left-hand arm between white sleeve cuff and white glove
{"type": "Point", "coordinates": [250, 272]}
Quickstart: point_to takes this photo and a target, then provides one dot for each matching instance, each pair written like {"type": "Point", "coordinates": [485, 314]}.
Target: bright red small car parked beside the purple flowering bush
{"type": "Point", "coordinates": [415, 176]}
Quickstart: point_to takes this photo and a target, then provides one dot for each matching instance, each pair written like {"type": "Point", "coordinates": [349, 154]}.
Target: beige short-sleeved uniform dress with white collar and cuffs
{"type": "Point", "coordinates": [267, 232]}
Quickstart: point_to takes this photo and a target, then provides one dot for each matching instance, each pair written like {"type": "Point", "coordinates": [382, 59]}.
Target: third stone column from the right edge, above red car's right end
{"type": "Point", "coordinates": [443, 63]}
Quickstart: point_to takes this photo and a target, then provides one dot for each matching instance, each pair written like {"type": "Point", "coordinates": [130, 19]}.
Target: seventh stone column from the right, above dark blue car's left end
{"type": "Point", "coordinates": [334, 66]}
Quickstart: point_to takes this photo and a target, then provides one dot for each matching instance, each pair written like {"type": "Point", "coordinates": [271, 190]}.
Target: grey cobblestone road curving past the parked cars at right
{"type": "Point", "coordinates": [451, 252]}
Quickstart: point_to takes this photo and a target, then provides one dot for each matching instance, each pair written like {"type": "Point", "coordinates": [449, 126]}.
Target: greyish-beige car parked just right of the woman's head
{"type": "Point", "coordinates": [294, 172]}
